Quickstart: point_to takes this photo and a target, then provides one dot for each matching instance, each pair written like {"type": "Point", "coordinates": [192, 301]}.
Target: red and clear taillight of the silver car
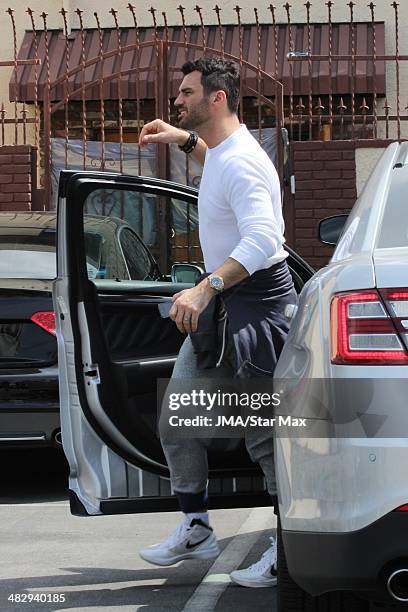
{"type": "Point", "coordinates": [370, 327]}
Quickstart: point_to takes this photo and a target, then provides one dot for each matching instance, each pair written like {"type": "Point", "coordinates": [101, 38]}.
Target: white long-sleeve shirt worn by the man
{"type": "Point", "coordinates": [239, 205]}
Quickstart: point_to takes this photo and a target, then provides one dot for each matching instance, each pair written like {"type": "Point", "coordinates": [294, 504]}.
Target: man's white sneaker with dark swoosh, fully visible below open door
{"type": "Point", "coordinates": [195, 540]}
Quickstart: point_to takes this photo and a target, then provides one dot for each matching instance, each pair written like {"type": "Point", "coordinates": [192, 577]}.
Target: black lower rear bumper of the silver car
{"type": "Point", "coordinates": [359, 560]}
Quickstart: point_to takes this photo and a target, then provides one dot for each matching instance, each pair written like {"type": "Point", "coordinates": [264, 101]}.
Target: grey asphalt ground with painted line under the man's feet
{"type": "Point", "coordinates": [93, 562]}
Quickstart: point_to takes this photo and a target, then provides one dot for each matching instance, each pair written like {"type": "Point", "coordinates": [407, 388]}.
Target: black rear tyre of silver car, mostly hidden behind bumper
{"type": "Point", "coordinates": [291, 598]}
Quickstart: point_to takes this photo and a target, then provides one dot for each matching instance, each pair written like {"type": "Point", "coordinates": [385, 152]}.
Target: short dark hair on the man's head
{"type": "Point", "coordinates": [217, 73]}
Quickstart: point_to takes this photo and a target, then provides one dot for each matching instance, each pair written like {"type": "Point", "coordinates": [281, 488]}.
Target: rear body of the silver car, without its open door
{"type": "Point", "coordinates": [343, 484]}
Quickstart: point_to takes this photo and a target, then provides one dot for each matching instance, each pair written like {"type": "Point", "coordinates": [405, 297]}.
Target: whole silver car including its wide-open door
{"type": "Point", "coordinates": [343, 489]}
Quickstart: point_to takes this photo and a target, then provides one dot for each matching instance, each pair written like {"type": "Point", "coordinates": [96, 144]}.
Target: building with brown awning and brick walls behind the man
{"type": "Point", "coordinates": [340, 100]}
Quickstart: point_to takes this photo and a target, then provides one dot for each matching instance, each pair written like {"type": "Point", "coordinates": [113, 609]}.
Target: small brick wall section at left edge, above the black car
{"type": "Point", "coordinates": [17, 177]}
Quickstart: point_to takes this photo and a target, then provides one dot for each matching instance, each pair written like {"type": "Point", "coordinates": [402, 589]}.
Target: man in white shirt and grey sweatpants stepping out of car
{"type": "Point", "coordinates": [241, 236]}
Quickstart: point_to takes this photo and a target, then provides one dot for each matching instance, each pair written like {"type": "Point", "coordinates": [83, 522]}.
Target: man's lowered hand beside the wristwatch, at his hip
{"type": "Point", "coordinates": [189, 304]}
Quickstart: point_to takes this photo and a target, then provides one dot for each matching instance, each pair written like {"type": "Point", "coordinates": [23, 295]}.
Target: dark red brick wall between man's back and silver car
{"type": "Point", "coordinates": [325, 185]}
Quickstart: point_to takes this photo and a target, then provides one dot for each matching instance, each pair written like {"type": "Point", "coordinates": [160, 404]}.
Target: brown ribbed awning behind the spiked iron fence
{"type": "Point", "coordinates": [366, 78]}
